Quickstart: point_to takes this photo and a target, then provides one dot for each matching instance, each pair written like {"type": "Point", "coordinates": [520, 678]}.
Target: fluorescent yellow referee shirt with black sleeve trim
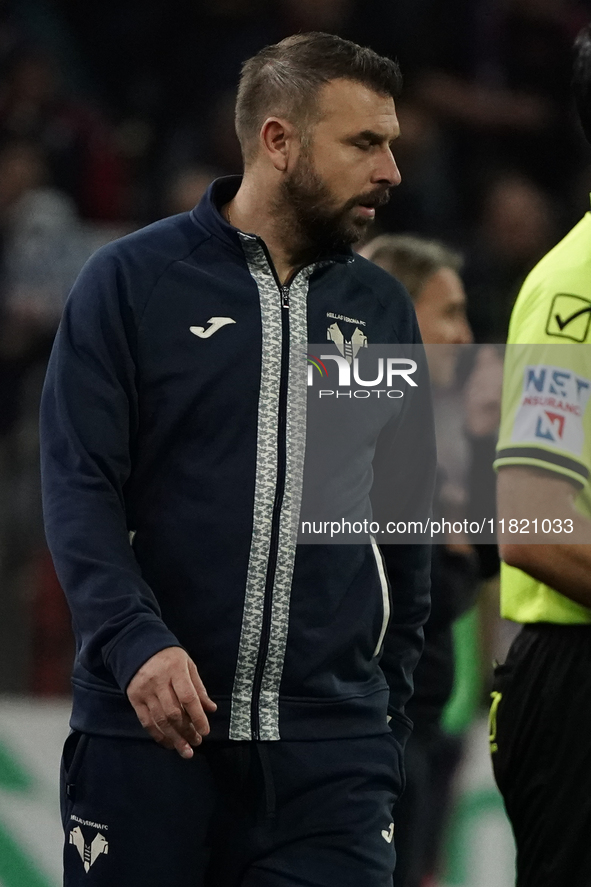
{"type": "Point", "coordinates": [546, 410]}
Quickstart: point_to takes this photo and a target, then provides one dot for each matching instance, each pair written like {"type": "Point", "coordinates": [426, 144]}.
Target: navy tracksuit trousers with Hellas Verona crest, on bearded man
{"type": "Point", "coordinates": [274, 814]}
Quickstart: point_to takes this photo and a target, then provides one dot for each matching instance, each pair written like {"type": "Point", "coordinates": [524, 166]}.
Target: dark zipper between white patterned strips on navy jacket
{"type": "Point", "coordinates": [279, 491]}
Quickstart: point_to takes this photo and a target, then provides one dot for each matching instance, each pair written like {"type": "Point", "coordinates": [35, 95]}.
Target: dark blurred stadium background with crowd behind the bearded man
{"type": "Point", "coordinates": [115, 114]}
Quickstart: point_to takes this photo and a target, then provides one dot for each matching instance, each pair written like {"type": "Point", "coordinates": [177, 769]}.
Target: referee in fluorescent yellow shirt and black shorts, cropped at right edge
{"type": "Point", "coordinates": [541, 712]}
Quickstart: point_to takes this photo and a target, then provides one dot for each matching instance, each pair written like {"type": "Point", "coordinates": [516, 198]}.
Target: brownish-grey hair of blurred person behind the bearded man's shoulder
{"type": "Point", "coordinates": [413, 260]}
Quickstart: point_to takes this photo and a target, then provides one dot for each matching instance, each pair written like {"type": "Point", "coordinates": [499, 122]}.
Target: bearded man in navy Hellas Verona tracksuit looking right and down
{"type": "Point", "coordinates": [173, 456]}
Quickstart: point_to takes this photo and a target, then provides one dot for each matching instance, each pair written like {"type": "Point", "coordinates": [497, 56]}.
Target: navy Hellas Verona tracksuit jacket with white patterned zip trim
{"type": "Point", "coordinates": [172, 473]}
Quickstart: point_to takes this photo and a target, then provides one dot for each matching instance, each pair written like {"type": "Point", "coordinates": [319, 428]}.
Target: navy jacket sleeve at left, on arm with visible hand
{"type": "Point", "coordinates": [89, 421]}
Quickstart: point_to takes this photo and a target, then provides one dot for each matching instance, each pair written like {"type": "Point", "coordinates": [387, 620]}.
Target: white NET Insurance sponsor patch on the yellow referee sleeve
{"type": "Point", "coordinates": [552, 407]}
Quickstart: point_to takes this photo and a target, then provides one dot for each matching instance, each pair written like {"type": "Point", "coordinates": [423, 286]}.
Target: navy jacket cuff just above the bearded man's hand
{"type": "Point", "coordinates": [135, 646]}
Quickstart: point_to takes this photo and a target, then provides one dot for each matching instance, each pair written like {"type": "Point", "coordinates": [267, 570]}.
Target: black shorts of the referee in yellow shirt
{"type": "Point", "coordinates": [541, 752]}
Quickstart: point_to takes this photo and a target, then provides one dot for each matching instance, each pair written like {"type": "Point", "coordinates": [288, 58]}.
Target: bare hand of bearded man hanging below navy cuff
{"type": "Point", "coordinates": [170, 700]}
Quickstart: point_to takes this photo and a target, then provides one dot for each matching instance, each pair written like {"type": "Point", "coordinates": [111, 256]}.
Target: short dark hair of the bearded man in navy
{"type": "Point", "coordinates": [284, 80]}
